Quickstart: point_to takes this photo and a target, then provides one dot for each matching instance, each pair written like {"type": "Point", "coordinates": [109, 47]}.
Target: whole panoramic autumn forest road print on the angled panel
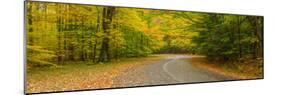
{"type": "Point", "coordinates": [75, 47]}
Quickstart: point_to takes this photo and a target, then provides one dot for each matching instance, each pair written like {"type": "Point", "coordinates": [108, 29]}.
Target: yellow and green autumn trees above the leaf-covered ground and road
{"type": "Point", "coordinates": [58, 33]}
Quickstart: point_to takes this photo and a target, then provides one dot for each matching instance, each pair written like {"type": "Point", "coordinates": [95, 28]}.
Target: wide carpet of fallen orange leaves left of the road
{"type": "Point", "coordinates": [81, 75]}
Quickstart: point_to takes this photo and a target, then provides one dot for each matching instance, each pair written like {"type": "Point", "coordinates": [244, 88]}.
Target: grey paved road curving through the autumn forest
{"type": "Point", "coordinates": [174, 69]}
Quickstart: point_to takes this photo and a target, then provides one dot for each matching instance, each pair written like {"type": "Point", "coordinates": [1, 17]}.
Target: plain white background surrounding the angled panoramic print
{"type": "Point", "coordinates": [11, 52]}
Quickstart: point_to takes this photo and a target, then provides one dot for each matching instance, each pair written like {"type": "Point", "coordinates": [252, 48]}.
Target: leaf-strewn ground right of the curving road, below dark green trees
{"type": "Point", "coordinates": [249, 69]}
